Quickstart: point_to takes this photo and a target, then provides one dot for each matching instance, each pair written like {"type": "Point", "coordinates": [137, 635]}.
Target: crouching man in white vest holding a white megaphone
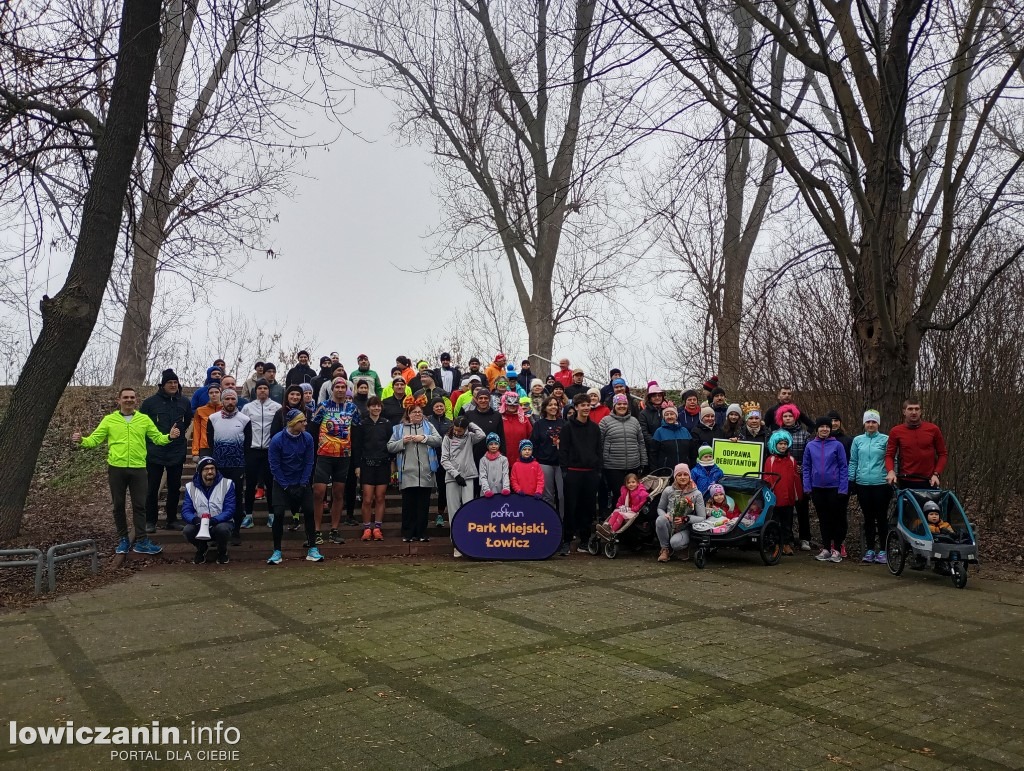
{"type": "Point", "coordinates": [208, 511]}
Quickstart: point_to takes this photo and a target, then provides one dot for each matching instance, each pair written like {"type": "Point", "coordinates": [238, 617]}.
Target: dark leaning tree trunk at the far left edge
{"type": "Point", "coordinates": [70, 317]}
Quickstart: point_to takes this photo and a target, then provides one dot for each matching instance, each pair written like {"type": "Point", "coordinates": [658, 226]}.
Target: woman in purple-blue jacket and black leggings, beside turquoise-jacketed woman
{"type": "Point", "coordinates": [827, 477]}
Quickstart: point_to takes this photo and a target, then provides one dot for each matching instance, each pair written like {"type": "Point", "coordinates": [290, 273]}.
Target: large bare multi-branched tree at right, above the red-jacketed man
{"type": "Point", "coordinates": [908, 159]}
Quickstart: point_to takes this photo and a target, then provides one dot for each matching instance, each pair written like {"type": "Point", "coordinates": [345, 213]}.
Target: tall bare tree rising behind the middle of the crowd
{"type": "Point", "coordinates": [508, 97]}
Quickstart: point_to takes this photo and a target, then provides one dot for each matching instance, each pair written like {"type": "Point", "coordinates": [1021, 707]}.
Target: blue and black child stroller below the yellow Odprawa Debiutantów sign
{"type": "Point", "coordinates": [755, 529]}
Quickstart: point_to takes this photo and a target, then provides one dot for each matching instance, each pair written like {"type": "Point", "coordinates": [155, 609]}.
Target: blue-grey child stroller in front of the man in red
{"type": "Point", "coordinates": [910, 535]}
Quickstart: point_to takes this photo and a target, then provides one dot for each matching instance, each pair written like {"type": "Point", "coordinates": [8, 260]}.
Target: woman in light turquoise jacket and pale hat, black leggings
{"type": "Point", "coordinates": [868, 473]}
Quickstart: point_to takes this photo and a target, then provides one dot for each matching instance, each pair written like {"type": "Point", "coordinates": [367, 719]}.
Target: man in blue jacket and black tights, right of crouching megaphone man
{"type": "Point", "coordinates": [291, 456]}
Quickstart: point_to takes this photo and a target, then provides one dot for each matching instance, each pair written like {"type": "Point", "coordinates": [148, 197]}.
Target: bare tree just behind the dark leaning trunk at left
{"type": "Point", "coordinates": [210, 166]}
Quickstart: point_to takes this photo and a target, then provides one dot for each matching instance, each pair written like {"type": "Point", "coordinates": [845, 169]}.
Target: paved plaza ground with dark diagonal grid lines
{"type": "Point", "coordinates": [583, 663]}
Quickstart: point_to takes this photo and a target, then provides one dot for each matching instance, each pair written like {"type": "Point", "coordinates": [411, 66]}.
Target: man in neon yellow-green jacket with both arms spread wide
{"type": "Point", "coordinates": [126, 433]}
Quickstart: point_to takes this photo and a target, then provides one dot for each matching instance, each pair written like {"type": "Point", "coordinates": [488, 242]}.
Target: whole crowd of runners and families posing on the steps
{"type": "Point", "coordinates": [336, 438]}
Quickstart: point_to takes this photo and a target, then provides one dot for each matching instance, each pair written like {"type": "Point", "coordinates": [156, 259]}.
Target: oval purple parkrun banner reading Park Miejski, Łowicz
{"type": "Point", "coordinates": [507, 528]}
